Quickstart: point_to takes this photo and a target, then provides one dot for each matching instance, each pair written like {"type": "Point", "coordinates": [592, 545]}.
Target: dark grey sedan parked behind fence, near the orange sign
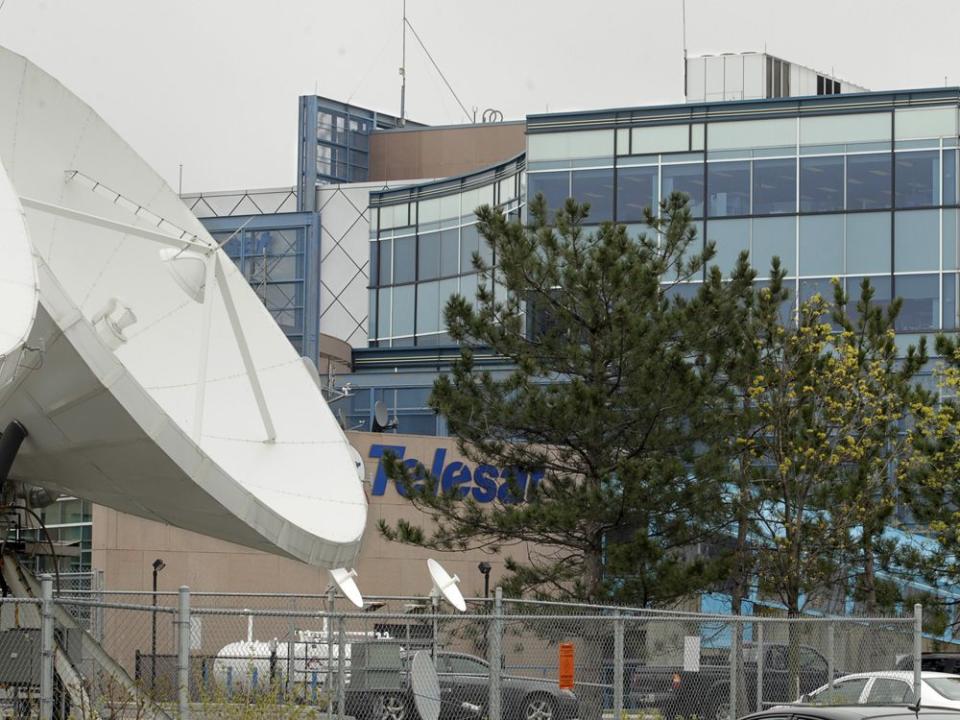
{"type": "Point", "coordinates": [466, 679]}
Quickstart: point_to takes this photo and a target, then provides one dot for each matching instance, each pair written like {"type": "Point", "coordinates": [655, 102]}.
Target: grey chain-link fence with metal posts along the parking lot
{"type": "Point", "coordinates": [136, 655]}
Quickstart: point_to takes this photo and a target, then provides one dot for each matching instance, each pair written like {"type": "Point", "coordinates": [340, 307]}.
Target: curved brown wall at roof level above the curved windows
{"type": "Point", "coordinates": [443, 152]}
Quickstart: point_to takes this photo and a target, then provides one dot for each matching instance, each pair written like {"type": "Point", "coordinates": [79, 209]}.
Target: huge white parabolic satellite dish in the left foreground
{"type": "Point", "coordinates": [148, 374]}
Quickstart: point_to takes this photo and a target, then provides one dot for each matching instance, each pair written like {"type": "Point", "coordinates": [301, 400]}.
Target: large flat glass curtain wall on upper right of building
{"type": "Point", "coordinates": [867, 195]}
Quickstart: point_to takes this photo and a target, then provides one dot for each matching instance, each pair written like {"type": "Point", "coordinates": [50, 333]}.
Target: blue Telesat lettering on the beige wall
{"type": "Point", "coordinates": [484, 484]}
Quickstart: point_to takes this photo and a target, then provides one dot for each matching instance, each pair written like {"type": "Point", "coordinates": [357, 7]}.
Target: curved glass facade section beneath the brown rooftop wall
{"type": "Point", "coordinates": [422, 247]}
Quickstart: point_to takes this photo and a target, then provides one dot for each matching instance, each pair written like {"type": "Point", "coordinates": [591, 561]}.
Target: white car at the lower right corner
{"type": "Point", "coordinates": [940, 690]}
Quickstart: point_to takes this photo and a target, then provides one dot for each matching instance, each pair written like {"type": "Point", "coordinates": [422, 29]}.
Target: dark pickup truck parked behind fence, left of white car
{"type": "Point", "coordinates": [705, 693]}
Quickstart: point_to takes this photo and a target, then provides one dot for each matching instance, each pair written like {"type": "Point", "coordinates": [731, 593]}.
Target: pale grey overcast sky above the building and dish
{"type": "Point", "coordinates": [214, 83]}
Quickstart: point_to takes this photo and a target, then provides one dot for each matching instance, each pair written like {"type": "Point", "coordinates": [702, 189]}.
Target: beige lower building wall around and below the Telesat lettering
{"type": "Point", "coordinates": [124, 546]}
